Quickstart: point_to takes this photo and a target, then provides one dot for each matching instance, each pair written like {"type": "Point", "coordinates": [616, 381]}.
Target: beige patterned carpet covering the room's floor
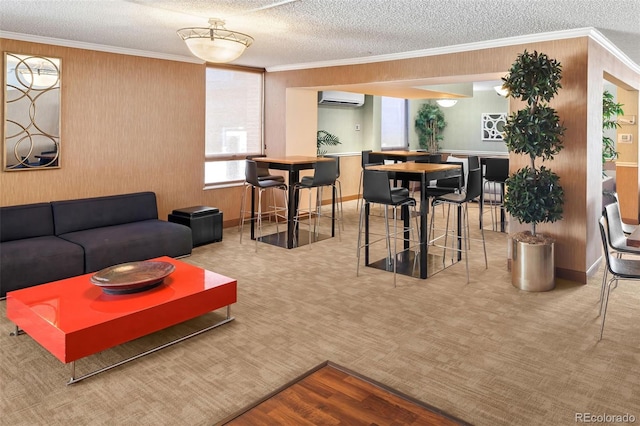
{"type": "Point", "coordinates": [482, 351]}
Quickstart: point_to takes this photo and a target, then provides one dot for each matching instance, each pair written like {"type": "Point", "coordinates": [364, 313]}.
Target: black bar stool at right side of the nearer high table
{"type": "Point", "coordinates": [462, 200]}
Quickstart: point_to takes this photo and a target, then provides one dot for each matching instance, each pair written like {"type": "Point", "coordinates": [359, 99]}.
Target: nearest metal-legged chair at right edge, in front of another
{"type": "Point", "coordinates": [618, 268]}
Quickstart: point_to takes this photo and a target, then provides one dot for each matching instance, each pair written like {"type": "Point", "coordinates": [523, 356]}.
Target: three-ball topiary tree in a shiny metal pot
{"type": "Point", "coordinates": [534, 194]}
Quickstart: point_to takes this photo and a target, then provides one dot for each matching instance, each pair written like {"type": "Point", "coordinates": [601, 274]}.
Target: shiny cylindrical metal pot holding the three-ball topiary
{"type": "Point", "coordinates": [533, 266]}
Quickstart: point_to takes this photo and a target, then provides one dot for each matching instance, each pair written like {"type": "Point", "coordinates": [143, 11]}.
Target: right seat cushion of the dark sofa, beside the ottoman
{"type": "Point", "coordinates": [129, 242]}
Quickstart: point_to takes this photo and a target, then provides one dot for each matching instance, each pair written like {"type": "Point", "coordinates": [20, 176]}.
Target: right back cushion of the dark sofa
{"type": "Point", "coordinates": [87, 213]}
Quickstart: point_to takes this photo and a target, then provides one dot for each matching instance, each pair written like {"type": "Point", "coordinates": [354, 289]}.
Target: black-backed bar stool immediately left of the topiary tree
{"type": "Point", "coordinates": [496, 173]}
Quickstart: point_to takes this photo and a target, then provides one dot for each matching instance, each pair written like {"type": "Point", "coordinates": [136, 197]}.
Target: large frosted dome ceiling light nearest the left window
{"type": "Point", "coordinates": [216, 43]}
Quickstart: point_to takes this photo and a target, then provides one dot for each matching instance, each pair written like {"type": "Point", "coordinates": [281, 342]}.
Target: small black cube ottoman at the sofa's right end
{"type": "Point", "coordinates": [205, 223]}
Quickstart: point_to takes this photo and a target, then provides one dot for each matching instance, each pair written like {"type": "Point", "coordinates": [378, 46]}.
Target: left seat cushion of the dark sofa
{"type": "Point", "coordinates": [33, 261]}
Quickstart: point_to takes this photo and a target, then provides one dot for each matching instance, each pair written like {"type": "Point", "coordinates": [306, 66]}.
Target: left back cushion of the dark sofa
{"type": "Point", "coordinates": [25, 221]}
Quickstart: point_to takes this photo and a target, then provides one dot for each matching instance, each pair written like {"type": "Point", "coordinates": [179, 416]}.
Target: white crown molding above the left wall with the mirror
{"type": "Point", "coordinates": [97, 47]}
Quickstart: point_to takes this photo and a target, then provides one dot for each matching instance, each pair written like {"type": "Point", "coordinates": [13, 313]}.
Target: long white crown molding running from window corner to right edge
{"type": "Point", "coordinates": [510, 41]}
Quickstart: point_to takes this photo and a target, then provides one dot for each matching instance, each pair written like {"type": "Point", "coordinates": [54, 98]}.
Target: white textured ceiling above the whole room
{"type": "Point", "coordinates": [290, 32]}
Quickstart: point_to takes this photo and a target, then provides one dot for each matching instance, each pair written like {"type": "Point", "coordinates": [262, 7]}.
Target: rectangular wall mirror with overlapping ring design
{"type": "Point", "coordinates": [31, 112]}
